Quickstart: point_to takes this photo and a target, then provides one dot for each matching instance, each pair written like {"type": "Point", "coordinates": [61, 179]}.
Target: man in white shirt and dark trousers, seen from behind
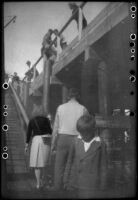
{"type": "Point", "coordinates": [65, 128]}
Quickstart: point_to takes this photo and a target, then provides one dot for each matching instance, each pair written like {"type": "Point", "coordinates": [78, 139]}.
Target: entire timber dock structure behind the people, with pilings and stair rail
{"type": "Point", "coordinates": [98, 65]}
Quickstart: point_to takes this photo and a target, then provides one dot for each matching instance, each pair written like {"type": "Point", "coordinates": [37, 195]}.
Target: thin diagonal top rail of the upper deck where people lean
{"type": "Point", "coordinates": [63, 28]}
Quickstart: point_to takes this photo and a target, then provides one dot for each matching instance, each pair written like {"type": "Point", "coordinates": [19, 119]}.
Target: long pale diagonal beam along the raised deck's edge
{"type": "Point", "coordinates": [107, 19]}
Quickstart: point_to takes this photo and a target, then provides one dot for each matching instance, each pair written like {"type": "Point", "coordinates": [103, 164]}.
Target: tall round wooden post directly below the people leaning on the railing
{"type": "Point", "coordinates": [46, 84]}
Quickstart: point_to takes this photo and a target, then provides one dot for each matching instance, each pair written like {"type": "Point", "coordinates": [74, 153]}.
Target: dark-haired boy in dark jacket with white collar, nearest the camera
{"type": "Point", "coordinates": [87, 164]}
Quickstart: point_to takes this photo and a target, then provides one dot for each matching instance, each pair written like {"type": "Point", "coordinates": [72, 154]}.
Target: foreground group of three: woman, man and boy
{"type": "Point", "coordinates": [80, 155]}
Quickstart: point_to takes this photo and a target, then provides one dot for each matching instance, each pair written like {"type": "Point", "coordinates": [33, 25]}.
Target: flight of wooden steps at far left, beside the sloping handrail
{"type": "Point", "coordinates": [16, 162]}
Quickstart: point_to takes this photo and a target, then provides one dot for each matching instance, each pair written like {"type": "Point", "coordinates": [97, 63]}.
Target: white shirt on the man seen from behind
{"type": "Point", "coordinates": [67, 116]}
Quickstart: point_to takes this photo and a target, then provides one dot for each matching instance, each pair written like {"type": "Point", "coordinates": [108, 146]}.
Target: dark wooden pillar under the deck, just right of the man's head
{"type": "Point", "coordinates": [89, 80]}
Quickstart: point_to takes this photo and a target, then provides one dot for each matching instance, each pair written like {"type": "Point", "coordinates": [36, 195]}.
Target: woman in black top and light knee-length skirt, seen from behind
{"type": "Point", "coordinates": [39, 135]}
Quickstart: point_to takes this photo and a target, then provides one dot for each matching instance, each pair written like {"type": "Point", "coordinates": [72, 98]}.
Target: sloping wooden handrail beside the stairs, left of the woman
{"type": "Point", "coordinates": [26, 119]}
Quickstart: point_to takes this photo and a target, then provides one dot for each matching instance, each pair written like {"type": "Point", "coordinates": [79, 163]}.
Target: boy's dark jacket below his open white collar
{"type": "Point", "coordinates": [87, 170]}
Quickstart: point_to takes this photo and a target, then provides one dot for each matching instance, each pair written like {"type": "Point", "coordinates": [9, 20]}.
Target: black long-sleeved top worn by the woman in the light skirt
{"type": "Point", "coordinates": [39, 125]}
